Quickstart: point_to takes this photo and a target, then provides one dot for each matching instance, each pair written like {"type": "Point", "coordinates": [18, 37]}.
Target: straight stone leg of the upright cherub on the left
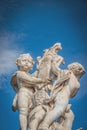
{"type": "Point", "coordinates": [23, 105]}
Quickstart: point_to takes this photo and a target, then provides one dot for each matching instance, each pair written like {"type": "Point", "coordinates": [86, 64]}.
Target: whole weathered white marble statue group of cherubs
{"type": "Point", "coordinates": [43, 96]}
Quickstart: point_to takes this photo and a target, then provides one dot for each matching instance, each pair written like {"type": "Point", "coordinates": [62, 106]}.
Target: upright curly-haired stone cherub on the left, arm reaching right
{"type": "Point", "coordinates": [24, 84]}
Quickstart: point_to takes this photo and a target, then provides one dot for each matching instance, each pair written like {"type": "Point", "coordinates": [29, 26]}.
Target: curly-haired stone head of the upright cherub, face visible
{"type": "Point", "coordinates": [25, 62]}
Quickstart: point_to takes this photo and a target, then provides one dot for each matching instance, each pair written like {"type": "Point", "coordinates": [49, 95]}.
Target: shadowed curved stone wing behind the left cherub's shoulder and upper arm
{"type": "Point", "coordinates": [14, 82]}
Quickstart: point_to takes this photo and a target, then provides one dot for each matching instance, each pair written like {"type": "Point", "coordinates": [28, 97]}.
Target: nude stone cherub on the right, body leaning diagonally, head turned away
{"type": "Point", "coordinates": [69, 89]}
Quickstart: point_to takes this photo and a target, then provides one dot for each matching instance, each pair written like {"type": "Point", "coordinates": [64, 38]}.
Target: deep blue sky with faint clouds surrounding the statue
{"type": "Point", "coordinates": [30, 27]}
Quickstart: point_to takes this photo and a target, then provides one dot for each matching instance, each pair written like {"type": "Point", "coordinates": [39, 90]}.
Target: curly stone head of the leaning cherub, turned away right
{"type": "Point", "coordinates": [77, 69]}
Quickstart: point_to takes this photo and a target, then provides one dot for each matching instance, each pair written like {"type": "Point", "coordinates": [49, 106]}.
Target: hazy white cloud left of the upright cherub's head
{"type": "Point", "coordinates": [9, 52]}
